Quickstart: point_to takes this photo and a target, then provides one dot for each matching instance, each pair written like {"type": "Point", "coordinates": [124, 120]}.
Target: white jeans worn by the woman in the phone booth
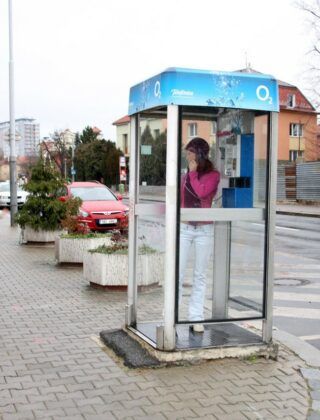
{"type": "Point", "coordinates": [202, 238]}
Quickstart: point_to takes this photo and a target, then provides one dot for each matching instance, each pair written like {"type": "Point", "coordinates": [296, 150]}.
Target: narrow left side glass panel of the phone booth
{"type": "Point", "coordinates": [151, 221]}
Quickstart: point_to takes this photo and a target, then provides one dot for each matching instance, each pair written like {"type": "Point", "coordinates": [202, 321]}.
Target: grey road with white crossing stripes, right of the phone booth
{"type": "Point", "coordinates": [297, 277]}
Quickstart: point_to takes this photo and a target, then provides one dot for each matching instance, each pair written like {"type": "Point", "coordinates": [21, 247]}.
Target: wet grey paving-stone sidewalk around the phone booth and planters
{"type": "Point", "coordinates": [52, 366]}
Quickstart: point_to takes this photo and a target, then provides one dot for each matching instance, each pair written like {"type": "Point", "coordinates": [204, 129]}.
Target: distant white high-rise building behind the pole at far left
{"type": "Point", "coordinates": [27, 137]}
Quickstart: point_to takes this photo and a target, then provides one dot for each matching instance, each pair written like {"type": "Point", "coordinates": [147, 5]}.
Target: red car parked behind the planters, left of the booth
{"type": "Point", "coordinates": [101, 209]}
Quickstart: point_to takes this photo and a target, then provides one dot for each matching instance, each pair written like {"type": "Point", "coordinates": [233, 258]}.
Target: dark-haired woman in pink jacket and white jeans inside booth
{"type": "Point", "coordinates": [198, 189]}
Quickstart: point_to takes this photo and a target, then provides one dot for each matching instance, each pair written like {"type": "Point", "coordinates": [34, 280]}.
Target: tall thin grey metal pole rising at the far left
{"type": "Point", "coordinates": [12, 159]}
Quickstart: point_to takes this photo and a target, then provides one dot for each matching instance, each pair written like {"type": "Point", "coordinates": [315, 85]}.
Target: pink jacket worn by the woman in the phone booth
{"type": "Point", "coordinates": [205, 187]}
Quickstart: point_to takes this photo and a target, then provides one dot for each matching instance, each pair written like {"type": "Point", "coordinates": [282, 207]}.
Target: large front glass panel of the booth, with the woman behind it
{"type": "Point", "coordinates": [221, 262]}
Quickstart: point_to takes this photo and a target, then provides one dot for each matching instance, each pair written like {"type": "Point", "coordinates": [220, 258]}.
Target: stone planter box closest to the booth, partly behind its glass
{"type": "Point", "coordinates": [111, 270]}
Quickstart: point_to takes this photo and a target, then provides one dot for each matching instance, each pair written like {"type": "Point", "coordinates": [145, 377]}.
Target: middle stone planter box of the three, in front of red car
{"type": "Point", "coordinates": [72, 250]}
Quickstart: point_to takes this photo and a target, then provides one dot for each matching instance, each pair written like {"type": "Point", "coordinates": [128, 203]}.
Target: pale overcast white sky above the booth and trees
{"type": "Point", "coordinates": [75, 60]}
